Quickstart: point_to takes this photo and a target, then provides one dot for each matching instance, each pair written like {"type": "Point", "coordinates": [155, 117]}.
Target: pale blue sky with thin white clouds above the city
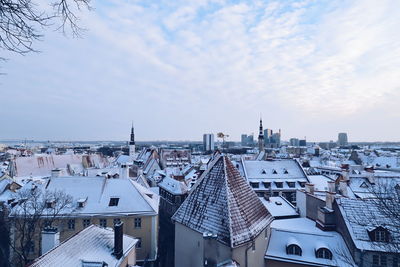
{"type": "Point", "coordinates": [179, 69]}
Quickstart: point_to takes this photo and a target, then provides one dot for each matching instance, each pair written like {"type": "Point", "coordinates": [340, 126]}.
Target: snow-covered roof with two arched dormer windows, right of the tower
{"type": "Point", "coordinates": [304, 233]}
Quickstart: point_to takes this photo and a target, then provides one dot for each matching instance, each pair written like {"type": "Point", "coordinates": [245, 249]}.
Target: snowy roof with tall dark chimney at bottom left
{"type": "Point", "coordinates": [93, 244]}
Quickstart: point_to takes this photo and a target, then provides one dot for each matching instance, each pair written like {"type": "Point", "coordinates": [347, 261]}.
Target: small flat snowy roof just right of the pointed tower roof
{"type": "Point", "coordinates": [279, 207]}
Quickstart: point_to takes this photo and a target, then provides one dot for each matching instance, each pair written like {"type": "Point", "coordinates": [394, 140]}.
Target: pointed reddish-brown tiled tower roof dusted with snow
{"type": "Point", "coordinates": [223, 203]}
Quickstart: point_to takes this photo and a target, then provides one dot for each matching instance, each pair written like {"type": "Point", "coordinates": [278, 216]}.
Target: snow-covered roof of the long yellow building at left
{"type": "Point", "coordinates": [133, 198]}
